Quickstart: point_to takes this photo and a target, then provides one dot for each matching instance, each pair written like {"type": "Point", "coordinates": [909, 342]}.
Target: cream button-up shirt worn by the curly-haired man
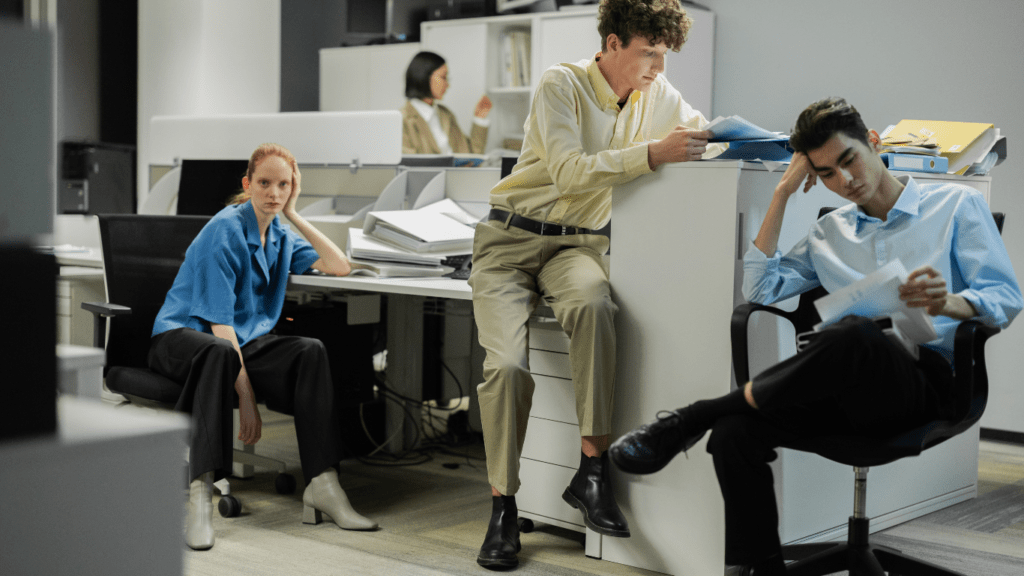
{"type": "Point", "coordinates": [580, 144]}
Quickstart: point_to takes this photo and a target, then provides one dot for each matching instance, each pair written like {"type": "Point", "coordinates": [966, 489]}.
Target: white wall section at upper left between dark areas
{"type": "Point", "coordinates": [203, 58]}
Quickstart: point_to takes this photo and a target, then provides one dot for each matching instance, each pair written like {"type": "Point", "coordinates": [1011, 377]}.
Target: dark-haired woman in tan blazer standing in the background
{"type": "Point", "coordinates": [429, 128]}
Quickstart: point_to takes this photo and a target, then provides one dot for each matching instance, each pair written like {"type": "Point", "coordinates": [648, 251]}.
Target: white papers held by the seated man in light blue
{"type": "Point", "coordinates": [877, 297]}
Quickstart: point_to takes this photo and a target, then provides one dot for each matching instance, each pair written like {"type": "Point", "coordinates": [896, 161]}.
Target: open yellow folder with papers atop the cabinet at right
{"type": "Point", "coordinates": [962, 144]}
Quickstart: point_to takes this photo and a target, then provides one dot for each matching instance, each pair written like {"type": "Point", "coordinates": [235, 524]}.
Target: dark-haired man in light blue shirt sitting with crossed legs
{"type": "Point", "coordinates": [851, 379]}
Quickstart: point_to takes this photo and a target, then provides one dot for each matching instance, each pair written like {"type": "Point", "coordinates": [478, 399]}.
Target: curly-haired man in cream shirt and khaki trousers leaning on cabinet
{"type": "Point", "coordinates": [593, 125]}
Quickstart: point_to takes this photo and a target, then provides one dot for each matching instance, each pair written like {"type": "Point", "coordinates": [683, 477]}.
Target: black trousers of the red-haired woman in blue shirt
{"type": "Point", "coordinates": [290, 374]}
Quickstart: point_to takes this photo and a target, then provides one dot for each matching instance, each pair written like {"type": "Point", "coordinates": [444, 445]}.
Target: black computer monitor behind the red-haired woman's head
{"type": "Point", "coordinates": [207, 185]}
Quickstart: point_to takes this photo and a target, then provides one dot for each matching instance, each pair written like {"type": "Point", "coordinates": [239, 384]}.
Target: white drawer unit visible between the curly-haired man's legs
{"type": "Point", "coordinates": [551, 455]}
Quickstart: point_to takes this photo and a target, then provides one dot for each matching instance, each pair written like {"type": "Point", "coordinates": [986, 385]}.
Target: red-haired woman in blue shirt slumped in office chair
{"type": "Point", "coordinates": [212, 335]}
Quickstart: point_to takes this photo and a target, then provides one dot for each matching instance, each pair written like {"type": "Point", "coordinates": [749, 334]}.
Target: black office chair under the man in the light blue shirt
{"type": "Point", "coordinates": [858, 555]}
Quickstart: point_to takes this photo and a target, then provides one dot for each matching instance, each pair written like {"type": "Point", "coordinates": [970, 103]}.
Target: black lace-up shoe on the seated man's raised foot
{"type": "Point", "coordinates": [651, 447]}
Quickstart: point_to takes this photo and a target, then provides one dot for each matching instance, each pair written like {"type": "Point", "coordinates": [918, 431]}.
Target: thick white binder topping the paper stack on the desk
{"type": "Point", "coordinates": [420, 231]}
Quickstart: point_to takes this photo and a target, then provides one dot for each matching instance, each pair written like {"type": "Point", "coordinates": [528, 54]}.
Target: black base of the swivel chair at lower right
{"type": "Point", "coordinates": [858, 556]}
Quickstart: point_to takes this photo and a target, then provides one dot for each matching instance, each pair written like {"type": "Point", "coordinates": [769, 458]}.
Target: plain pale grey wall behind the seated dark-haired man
{"type": "Point", "coordinates": [931, 60]}
